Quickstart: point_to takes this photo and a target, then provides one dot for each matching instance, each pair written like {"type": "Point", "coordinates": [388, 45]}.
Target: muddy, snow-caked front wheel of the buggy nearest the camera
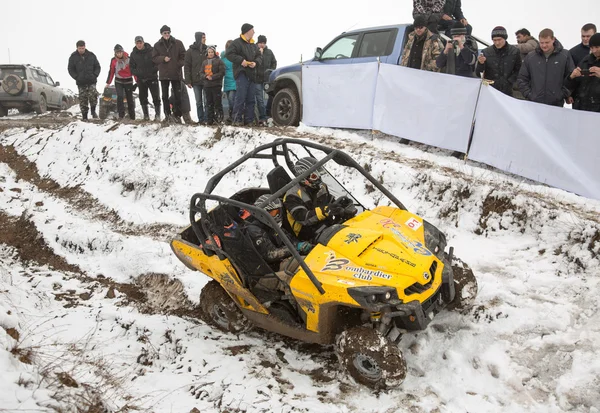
{"type": "Point", "coordinates": [370, 358]}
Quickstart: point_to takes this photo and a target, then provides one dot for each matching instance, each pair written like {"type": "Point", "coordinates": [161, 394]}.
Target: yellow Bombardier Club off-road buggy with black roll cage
{"type": "Point", "coordinates": [367, 280]}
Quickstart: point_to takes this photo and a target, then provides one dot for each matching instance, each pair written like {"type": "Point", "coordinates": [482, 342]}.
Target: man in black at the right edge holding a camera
{"type": "Point", "coordinates": [584, 81]}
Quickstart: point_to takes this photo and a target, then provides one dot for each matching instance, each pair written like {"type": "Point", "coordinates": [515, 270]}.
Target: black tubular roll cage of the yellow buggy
{"type": "Point", "coordinates": [206, 227]}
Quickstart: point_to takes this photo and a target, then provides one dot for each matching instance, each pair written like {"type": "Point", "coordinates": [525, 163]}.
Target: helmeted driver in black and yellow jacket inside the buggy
{"type": "Point", "coordinates": [309, 203]}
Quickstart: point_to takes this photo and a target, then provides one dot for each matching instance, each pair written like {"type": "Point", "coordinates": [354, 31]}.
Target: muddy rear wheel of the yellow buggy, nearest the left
{"type": "Point", "coordinates": [219, 310]}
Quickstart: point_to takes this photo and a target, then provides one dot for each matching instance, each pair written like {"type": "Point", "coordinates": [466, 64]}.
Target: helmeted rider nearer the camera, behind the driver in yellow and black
{"type": "Point", "coordinates": [266, 240]}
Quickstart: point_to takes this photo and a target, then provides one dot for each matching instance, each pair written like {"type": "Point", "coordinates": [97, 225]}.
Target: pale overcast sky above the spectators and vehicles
{"type": "Point", "coordinates": [44, 33]}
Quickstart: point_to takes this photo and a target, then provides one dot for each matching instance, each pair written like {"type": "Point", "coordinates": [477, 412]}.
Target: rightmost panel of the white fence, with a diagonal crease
{"type": "Point", "coordinates": [556, 146]}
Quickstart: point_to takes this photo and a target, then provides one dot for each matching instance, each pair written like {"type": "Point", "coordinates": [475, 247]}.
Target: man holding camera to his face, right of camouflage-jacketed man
{"type": "Point", "coordinates": [459, 56]}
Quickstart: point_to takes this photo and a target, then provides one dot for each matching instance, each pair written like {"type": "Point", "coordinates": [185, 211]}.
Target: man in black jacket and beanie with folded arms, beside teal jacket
{"type": "Point", "coordinates": [244, 56]}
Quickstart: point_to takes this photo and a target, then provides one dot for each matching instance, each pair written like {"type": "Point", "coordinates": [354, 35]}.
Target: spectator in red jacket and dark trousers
{"type": "Point", "coordinates": [120, 70]}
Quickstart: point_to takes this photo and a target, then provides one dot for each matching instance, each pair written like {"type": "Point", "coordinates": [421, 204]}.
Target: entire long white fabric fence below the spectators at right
{"type": "Point", "coordinates": [552, 145]}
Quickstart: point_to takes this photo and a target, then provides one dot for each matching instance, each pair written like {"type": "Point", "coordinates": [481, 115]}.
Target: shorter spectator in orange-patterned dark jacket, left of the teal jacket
{"type": "Point", "coordinates": [213, 70]}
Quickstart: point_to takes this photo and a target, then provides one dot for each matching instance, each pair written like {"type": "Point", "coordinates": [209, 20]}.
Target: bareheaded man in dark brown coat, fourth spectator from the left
{"type": "Point", "coordinates": [169, 56]}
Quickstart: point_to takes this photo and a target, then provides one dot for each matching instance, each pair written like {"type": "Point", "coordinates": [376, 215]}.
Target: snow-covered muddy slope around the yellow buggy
{"type": "Point", "coordinates": [99, 202]}
